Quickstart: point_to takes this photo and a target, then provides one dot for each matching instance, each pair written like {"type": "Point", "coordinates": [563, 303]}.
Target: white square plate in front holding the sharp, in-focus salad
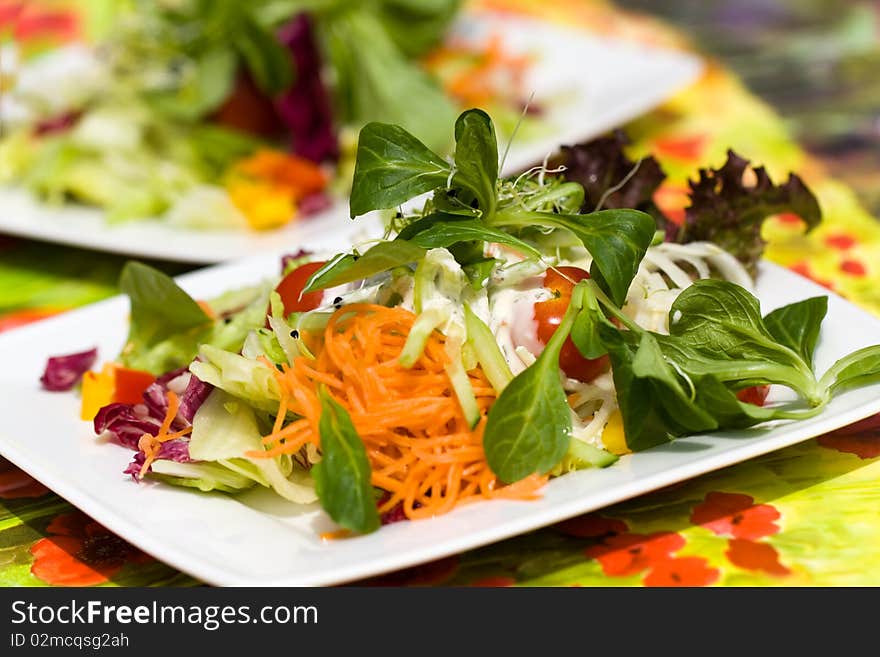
{"type": "Point", "coordinates": [258, 539]}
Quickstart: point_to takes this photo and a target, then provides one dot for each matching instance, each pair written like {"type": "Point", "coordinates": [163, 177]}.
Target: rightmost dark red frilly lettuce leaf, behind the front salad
{"type": "Point", "coordinates": [727, 211]}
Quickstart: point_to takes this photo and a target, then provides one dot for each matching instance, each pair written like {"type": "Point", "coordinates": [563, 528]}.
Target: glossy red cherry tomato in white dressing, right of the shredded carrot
{"type": "Point", "coordinates": [549, 314]}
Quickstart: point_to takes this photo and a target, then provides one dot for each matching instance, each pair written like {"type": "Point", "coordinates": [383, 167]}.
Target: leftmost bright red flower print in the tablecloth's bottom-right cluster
{"type": "Point", "coordinates": [628, 554]}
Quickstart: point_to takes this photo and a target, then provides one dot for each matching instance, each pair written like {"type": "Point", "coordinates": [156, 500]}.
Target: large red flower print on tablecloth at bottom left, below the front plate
{"type": "Point", "coordinates": [80, 552]}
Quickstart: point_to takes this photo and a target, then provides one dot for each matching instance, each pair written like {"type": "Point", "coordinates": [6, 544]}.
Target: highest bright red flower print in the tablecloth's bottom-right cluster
{"type": "Point", "coordinates": [733, 514]}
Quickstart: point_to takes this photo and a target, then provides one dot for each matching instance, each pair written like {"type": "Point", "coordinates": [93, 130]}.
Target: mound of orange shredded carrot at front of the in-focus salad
{"type": "Point", "coordinates": [421, 449]}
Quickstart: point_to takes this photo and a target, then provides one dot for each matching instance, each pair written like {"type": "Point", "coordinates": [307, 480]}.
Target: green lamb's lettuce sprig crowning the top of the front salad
{"type": "Point", "coordinates": [470, 206]}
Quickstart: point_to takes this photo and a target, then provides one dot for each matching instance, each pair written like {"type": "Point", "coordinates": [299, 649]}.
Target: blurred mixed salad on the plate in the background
{"type": "Point", "coordinates": [229, 115]}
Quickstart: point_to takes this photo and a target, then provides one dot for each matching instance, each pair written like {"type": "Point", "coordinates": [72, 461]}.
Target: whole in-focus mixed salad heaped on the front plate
{"type": "Point", "coordinates": [505, 331]}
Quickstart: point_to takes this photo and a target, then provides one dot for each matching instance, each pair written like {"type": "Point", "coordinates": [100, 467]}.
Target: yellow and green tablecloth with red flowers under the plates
{"type": "Point", "coordinates": [806, 515]}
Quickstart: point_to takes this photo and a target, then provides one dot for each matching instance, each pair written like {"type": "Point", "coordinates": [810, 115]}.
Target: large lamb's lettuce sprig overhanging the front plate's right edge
{"type": "Point", "coordinates": [719, 343]}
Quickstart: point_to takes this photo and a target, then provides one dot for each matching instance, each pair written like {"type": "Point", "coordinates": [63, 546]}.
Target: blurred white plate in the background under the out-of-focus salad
{"type": "Point", "coordinates": [586, 85]}
